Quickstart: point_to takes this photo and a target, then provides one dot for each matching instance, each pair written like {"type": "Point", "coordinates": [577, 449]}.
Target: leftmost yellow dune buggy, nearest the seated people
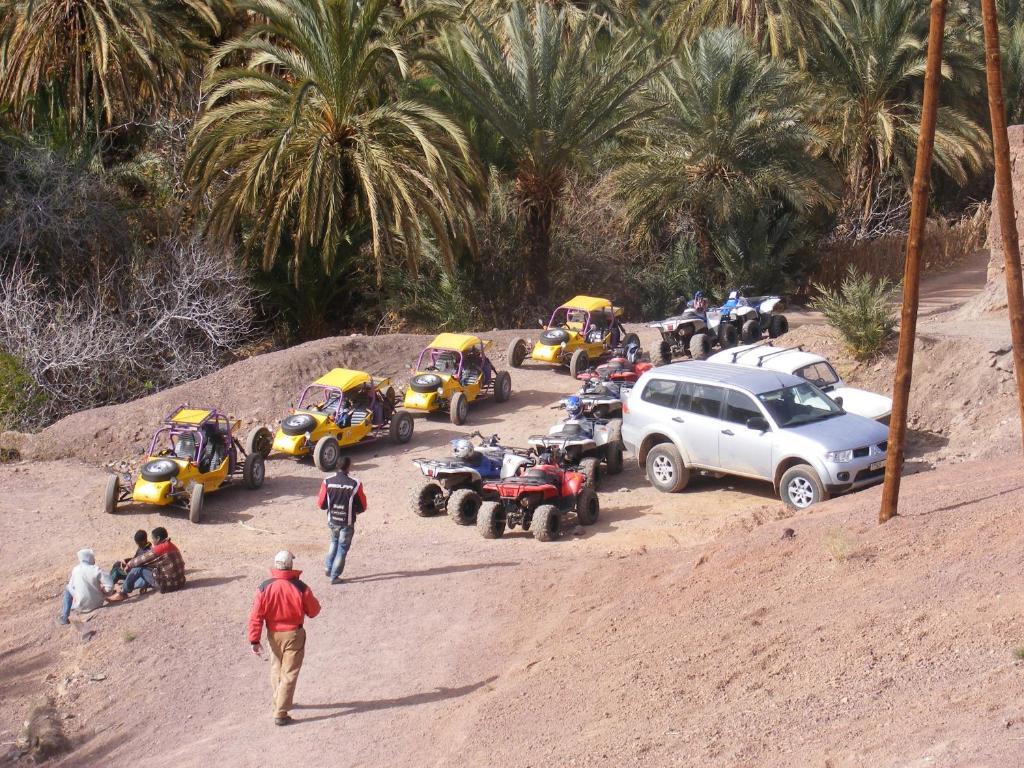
{"type": "Point", "coordinates": [193, 453]}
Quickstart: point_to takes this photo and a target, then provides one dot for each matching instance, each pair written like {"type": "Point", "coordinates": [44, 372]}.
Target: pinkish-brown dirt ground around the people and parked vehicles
{"type": "Point", "coordinates": [691, 630]}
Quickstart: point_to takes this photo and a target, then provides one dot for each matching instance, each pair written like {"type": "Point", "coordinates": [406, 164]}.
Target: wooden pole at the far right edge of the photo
{"type": "Point", "coordinates": [1005, 195]}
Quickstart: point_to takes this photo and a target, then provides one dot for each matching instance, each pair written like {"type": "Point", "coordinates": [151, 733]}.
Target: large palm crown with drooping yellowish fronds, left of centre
{"type": "Point", "coordinates": [308, 124]}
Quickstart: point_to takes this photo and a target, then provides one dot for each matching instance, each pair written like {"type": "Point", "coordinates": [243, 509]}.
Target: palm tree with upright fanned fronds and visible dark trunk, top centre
{"type": "Point", "coordinates": [553, 95]}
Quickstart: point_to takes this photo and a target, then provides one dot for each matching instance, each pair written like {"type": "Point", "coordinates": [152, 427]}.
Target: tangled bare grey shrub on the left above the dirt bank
{"type": "Point", "coordinates": [179, 313]}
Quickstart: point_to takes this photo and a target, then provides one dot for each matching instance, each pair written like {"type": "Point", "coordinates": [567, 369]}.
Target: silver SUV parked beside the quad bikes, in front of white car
{"type": "Point", "coordinates": [750, 422]}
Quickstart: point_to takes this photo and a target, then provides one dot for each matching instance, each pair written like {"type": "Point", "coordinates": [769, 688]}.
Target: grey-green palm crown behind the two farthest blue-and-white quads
{"type": "Point", "coordinates": [733, 139]}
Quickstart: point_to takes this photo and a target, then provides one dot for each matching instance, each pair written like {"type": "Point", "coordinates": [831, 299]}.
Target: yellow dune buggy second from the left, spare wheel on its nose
{"type": "Point", "coordinates": [340, 409]}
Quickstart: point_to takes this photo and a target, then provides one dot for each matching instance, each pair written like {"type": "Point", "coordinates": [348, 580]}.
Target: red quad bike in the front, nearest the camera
{"type": "Point", "coordinates": [537, 501]}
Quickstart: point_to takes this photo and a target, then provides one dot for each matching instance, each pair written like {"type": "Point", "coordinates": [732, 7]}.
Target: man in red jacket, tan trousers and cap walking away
{"type": "Point", "coordinates": [283, 603]}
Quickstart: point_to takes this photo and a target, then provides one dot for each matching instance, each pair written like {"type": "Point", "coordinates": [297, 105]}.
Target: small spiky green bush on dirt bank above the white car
{"type": "Point", "coordinates": [863, 311]}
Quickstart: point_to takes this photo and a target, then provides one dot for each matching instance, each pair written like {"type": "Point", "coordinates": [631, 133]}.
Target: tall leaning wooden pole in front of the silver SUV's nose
{"type": "Point", "coordinates": [912, 271]}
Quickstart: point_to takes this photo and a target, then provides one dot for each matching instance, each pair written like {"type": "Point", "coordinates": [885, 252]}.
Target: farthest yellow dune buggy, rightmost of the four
{"type": "Point", "coordinates": [580, 333]}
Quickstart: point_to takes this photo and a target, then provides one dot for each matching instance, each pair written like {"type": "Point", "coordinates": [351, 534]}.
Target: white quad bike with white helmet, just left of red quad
{"type": "Point", "coordinates": [455, 485]}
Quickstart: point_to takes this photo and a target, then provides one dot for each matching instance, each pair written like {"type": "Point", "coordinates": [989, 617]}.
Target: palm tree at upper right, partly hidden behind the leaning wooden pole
{"type": "Point", "coordinates": [870, 61]}
